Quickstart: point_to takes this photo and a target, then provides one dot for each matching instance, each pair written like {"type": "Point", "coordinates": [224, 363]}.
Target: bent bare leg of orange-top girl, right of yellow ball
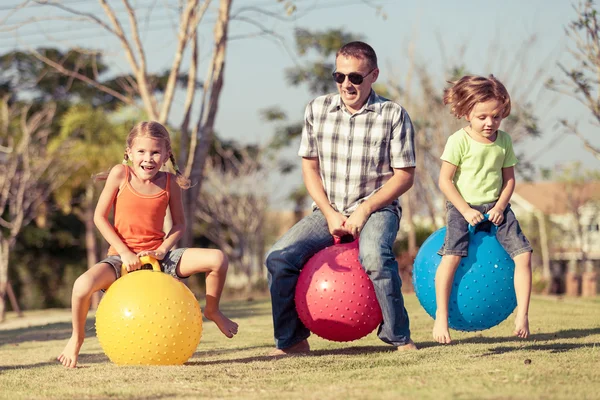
{"type": "Point", "coordinates": [214, 263]}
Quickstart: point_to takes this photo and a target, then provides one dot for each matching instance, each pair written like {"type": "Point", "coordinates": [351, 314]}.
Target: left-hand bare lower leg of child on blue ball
{"type": "Point", "coordinates": [444, 277]}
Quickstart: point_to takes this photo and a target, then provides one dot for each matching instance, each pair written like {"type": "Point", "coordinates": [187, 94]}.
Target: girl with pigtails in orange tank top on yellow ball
{"type": "Point", "coordinates": [140, 195]}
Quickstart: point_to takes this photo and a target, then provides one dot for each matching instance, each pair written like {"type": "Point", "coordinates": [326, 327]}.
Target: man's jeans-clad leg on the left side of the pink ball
{"type": "Point", "coordinates": [284, 262]}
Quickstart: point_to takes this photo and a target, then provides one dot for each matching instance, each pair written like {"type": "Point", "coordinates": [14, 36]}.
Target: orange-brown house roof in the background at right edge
{"type": "Point", "coordinates": [555, 197]}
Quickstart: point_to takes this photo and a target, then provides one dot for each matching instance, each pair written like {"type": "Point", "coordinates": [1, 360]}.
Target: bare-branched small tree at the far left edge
{"type": "Point", "coordinates": [29, 174]}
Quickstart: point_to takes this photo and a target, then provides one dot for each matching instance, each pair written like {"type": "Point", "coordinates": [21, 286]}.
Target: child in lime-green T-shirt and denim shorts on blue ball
{"type": "Point", "coordinates": [477, 177]}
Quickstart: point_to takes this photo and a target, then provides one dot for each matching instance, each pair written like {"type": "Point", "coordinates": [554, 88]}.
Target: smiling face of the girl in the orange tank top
{"type": "Point", "coordinates": [147, 156]}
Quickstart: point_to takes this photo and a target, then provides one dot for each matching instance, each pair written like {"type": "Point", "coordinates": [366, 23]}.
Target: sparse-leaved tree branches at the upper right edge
{"type": "Point", "coordinates": [581, 80]}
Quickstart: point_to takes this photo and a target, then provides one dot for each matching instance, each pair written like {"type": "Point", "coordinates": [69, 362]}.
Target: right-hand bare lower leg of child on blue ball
{"type": "Point", "coordinates": [523, 292]}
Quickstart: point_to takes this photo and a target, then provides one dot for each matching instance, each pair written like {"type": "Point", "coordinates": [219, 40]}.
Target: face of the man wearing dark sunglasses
{"type": "Point", "coordinates": [355, 96]}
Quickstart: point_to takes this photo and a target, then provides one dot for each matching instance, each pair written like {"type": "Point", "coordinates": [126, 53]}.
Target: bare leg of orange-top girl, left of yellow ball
{"type": "Point", "coordinates": [100, 276]}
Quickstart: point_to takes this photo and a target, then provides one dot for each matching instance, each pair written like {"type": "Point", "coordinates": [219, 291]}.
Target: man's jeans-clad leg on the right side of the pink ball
{"type": "Point", "coordinates": [377, 258]}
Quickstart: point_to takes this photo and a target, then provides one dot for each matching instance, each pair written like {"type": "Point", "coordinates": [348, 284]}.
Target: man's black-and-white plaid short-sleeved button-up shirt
{"type": "Point", "coordinates": [356, 152]}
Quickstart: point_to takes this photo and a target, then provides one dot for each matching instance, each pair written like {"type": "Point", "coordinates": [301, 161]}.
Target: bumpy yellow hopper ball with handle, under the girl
{"type": "Point", "coordinates": [148, 318]}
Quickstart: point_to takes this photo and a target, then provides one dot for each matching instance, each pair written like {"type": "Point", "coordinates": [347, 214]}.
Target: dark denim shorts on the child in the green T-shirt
{"type": "Point", "coordinates": [508, 233]}
